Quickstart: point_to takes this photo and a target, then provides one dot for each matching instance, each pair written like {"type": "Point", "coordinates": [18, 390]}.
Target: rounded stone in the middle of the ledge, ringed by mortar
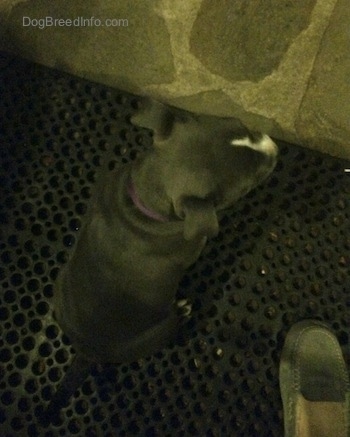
{"type": "Point", "coordinates": [247, 40]}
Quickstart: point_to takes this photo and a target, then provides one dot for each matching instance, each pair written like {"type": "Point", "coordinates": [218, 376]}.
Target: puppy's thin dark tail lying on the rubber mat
{"type": "Point", "coordinates": [72, 380]}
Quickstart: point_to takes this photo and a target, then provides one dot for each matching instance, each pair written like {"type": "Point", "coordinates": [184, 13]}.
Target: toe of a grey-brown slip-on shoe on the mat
{"type": "Point", "coordinates": [314, 383]}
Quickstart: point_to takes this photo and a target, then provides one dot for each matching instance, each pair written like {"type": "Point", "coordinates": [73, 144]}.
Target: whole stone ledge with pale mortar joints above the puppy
{"type": "Point", "coordinates": [281, 66]}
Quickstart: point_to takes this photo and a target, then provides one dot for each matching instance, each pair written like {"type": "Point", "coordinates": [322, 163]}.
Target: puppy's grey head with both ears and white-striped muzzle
{"type": "Point", "coordinates": [206, 162]}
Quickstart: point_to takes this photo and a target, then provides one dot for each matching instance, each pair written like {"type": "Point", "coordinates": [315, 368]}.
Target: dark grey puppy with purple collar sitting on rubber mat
{"type": "Point", "coordinates": [149, 220]}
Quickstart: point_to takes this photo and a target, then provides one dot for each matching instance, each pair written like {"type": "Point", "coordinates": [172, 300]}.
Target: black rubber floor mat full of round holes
{"type": "Point", "coordinates": [283, 255]}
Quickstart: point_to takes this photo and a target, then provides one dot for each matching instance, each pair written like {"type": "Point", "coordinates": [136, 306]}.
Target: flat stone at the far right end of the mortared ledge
{"type": "Point", "coordinates": [324, 116]}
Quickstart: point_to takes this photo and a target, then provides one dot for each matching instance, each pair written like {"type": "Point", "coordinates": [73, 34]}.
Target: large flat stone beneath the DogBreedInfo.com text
{"type": "Point", "coordinates": [127, 56]}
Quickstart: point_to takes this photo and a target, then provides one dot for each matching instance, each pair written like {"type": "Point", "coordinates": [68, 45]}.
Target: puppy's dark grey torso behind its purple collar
{"type": "Point", "coordinates": [122, 278]}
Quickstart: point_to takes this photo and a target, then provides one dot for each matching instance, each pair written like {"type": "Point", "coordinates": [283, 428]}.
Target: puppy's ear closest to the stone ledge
{"type": "Point", "coordinates": [156, 116]}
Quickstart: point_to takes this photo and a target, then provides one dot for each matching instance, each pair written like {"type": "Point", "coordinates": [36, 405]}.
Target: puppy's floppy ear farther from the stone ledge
{"type": "Point", "coordinates": [200, 219]}
